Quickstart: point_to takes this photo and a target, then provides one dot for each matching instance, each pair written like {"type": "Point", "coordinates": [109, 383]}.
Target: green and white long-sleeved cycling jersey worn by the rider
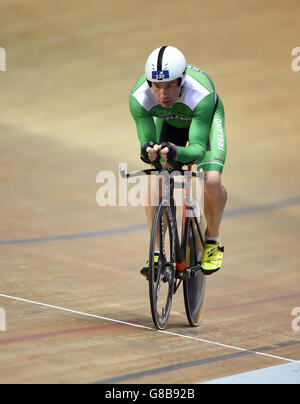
{"type": "Point", "coordinates": [194, 109]}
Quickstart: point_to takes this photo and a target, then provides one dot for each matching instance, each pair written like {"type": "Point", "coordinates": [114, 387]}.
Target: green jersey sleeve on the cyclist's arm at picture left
{"type": "Point", "coordinates": [145, 125]}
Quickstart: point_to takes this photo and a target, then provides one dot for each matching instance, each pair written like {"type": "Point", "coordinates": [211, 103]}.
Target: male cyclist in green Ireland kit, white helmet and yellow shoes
{"type": "Point", "coordinates": [180, 117]}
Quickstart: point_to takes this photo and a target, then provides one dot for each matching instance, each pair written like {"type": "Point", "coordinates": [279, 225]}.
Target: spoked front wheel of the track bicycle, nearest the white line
{"type": "Point", "coordinates": [162, 269]}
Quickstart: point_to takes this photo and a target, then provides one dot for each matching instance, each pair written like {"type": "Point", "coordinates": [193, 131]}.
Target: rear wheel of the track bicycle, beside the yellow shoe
{"type": "Point", "coordinates": [194, 287]}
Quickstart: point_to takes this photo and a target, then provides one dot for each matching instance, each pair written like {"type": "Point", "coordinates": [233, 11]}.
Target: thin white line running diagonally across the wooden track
{"type": "Point", "coordinates": [148, 328]}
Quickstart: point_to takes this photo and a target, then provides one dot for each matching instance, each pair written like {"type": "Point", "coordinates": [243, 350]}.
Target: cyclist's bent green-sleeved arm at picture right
{"type": "Point", "coordinates": [199, 131]}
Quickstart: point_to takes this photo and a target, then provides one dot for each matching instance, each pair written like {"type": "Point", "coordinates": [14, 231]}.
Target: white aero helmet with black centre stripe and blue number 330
{"type": "Point", "coordinates": [166, 64]}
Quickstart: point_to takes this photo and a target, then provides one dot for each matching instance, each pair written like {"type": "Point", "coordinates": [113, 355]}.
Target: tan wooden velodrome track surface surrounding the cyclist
{"type": "Point", "coordinates": [64, 117]}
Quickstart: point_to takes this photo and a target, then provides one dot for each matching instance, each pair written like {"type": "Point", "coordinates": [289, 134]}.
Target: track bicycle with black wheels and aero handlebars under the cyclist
{"type": "Point", "coordinates": [179, 257]}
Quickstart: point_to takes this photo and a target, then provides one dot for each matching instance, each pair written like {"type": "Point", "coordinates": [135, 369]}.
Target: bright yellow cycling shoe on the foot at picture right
{"type": "Point", "coordinates": [212, 257]}
